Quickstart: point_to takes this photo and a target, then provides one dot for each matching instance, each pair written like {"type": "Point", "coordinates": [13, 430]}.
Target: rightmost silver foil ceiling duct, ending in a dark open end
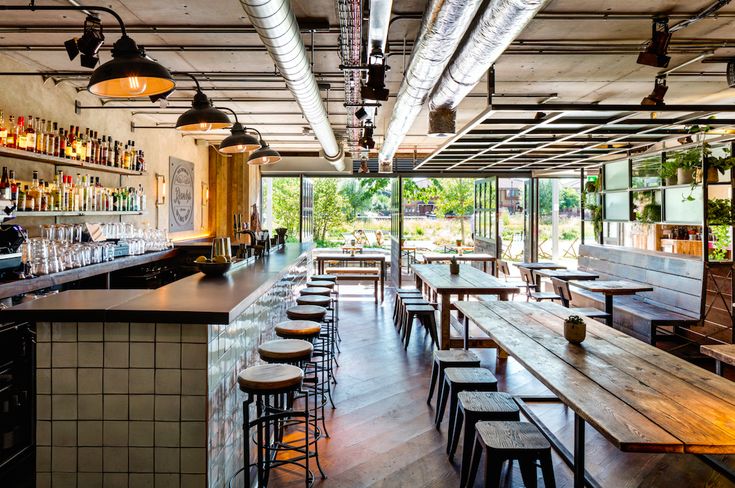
{"type": "Point", "coordinates": [494, 30]}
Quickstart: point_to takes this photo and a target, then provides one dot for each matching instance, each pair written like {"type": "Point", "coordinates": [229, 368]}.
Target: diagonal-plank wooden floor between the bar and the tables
{"type": "Point", "coordinates": [382, 434]}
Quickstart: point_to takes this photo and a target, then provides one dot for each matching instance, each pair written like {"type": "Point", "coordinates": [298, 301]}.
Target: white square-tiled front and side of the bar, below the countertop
{"type": "Point", "coordinates": [129, 404]}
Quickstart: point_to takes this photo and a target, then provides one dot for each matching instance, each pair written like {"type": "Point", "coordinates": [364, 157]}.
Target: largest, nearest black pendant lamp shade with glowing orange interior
{"type": "Point", "coordinates": [130, 74]}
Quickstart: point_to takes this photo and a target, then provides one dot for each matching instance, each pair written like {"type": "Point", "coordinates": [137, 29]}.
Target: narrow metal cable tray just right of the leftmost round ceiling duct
{"type": "Point", "coordinates": [350, 38]}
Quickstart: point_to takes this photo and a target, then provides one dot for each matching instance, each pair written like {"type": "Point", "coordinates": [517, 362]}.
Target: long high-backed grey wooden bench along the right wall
{"type": "Point", "coordinates": [676, 300]}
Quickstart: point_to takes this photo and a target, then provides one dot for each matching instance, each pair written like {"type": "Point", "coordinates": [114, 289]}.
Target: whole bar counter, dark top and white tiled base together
{"type": "Point", "coordinates": [139, 387]}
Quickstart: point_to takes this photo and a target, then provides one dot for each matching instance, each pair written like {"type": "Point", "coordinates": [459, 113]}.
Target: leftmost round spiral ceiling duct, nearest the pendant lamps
{"type": "Point", "coordinates": [276, 24]}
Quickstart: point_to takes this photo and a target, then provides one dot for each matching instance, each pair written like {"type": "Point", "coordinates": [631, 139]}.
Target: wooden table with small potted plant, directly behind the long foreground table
{"type": "Point", "coordinates": [469, 281]}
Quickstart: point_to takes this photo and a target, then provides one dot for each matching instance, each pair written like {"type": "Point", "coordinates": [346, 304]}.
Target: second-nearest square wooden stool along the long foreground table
{"type": "Point", "coordinates": [473, 407]}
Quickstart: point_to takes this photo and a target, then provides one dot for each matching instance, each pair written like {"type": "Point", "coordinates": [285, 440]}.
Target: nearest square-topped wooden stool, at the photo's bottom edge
{"type": "Point", "coordinates": [505, 441]}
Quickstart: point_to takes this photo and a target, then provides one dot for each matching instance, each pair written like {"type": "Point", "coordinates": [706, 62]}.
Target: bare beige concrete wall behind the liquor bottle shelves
{"type": "Point", "coordinates": [31, 96]}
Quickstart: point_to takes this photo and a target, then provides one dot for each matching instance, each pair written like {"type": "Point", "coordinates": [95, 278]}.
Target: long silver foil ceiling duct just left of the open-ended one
{"type": "Point", "coordinates": [443, 25]}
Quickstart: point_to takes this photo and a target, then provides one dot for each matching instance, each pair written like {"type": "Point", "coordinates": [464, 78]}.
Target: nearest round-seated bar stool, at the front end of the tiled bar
{"type": "Point", "coordinates": [265, 385]}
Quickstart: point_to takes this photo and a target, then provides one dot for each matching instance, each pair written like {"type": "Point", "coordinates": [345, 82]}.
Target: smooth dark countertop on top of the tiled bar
{"type": "Point", "coordinates": [195, 299]}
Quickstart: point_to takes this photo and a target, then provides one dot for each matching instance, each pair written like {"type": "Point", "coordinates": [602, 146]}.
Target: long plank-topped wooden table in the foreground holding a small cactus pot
{"type": "Point", "coordinates": [640, 398]}
